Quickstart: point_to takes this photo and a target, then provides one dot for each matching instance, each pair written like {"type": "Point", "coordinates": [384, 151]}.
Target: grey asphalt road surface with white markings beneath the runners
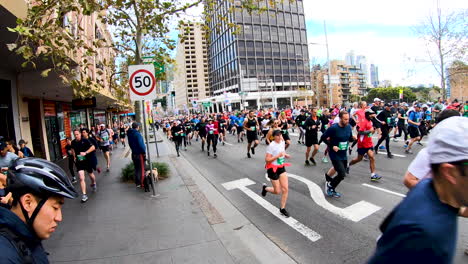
{"type": "Point", "coordinates": [322, 229]}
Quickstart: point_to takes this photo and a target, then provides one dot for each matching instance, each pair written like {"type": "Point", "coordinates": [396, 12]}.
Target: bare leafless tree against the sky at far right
{"type": "Point", "coordinates": [446, 40]}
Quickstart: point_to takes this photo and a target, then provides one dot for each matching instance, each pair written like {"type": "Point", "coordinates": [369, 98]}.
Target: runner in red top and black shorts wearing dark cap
{"type": "Point", "coordinates": [365, 145]}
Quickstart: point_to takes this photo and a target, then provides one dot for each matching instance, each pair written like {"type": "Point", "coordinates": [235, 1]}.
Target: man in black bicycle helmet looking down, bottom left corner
{"type": "Point", "coordinates": [36, 209]}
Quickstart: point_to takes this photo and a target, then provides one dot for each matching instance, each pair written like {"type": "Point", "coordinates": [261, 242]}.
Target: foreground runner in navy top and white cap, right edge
{"type": "Point", "coordinates": [423, 227]}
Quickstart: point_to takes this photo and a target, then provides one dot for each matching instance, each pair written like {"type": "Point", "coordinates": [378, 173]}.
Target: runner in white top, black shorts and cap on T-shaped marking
{"type": "Point", "coordinates": [275, 165]}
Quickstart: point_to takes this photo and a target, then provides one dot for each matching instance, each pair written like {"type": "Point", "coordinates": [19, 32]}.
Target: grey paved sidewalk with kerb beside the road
{"type": "Point", "coordinates": [189, 222]}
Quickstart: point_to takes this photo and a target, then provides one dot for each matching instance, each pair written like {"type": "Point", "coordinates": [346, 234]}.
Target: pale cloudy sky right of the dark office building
{"type": "Point", "coordinates": [380, 30]}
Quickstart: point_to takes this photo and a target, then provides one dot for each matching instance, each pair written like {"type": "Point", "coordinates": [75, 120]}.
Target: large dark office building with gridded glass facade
{"type": "Point", "coordinates": [267, 51]}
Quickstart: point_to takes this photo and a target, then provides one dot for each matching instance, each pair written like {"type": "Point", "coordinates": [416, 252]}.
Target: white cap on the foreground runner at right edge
{"type": "Point", "coordinates": [448, 141]}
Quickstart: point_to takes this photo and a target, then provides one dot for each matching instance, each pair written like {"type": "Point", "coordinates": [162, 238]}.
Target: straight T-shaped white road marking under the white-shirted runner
{"type": "Point", "coordinates": [299, 227]}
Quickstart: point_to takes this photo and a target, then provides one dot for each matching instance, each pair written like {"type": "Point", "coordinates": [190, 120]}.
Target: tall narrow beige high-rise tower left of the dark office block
{"type": "Point", "coordinates": [191, 81]}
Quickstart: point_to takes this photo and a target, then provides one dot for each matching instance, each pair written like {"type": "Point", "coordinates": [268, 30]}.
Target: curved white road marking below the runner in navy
{"type": "Point", "coordinates": [355, 212]}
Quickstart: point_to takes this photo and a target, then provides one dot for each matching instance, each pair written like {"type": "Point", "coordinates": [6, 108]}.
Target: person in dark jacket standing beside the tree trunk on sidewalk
{"type": "Point", "coordinates": [138, 147]}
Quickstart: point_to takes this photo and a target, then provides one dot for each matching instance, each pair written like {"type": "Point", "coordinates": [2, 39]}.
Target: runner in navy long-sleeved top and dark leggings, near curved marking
{"type": "Point", "coordinates": [337, 138]}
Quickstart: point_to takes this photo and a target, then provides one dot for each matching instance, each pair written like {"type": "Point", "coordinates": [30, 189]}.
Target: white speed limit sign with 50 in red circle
{"type": "Point", "coordinates": [142, 82]}
